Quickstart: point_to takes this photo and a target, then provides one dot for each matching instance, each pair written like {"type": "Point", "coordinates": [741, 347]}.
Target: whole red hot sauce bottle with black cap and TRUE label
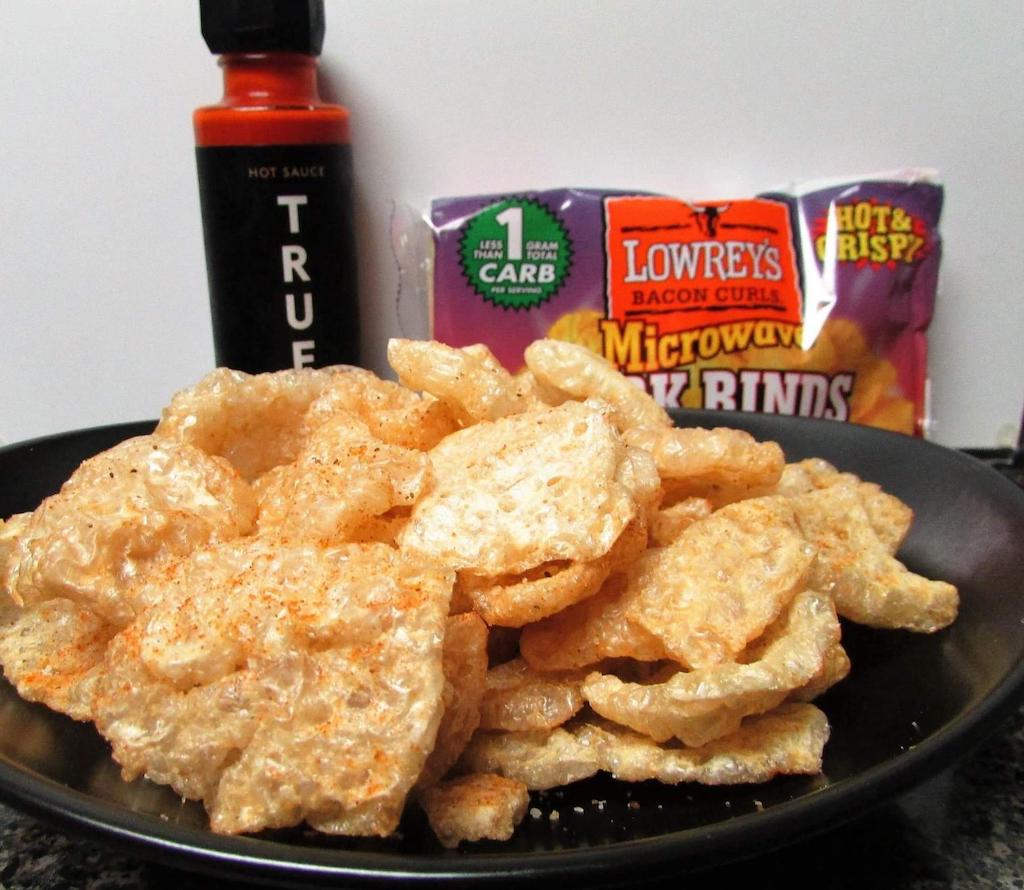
{"type": "Point", "coordinates": [276, 189]}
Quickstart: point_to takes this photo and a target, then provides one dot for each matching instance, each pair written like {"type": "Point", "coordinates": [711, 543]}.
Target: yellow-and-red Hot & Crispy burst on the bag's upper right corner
{"type": "Point", "coordinates": [871, 232]}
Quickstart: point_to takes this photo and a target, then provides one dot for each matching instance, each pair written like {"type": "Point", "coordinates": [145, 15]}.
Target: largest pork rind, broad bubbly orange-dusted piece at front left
{"type": "Point", "coordinates": [283, 684]}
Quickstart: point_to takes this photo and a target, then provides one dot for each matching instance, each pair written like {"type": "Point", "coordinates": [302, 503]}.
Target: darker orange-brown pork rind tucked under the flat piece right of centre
{"type": "Point", "coordinates": [590, 631]}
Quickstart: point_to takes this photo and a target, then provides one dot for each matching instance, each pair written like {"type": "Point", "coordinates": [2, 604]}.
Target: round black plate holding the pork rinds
{"type": "Point", "coordinates": [913, 705]}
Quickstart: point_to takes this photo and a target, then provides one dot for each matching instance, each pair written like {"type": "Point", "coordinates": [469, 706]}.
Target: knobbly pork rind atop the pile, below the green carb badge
{"type": "Point", "coordinates": [471, 382]}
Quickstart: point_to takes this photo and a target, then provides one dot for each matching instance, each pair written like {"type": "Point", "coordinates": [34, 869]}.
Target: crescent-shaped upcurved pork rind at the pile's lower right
{"type": "Point", "coordinates": [699, 706]}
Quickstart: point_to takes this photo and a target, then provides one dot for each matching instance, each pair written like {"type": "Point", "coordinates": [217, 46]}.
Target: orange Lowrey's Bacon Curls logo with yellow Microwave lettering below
{"type": "Point", "coordinates": [688, 282]}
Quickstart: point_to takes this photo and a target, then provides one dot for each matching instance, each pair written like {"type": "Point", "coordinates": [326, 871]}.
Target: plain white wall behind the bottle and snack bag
{"type": "Point", "coordinates": [103, 282]}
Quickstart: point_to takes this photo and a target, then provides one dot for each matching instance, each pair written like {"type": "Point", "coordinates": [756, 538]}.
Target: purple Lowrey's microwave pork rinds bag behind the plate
{"type": "Point", "coordinates": [813, 301]}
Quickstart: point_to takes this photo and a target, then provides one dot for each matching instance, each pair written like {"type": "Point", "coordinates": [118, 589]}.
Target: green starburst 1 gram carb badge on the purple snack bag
{"type": "Point", "coordinates": [516, 253]}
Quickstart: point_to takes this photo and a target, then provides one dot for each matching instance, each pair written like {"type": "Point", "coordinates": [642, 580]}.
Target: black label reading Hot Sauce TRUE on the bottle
{"type": "Point", "coordinates": [280, 255]}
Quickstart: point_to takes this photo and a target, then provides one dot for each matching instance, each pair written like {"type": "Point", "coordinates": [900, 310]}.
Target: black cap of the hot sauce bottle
{"type": "Point", "coordinates": [263, 26]}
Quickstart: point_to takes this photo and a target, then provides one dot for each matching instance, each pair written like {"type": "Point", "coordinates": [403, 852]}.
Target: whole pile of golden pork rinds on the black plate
{"type": "Point", "coordinates": [318, 596]}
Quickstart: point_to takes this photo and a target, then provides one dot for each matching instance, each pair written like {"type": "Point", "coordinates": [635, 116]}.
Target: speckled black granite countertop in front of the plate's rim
{"type": "Point", "coordinates": [963, 829]}
